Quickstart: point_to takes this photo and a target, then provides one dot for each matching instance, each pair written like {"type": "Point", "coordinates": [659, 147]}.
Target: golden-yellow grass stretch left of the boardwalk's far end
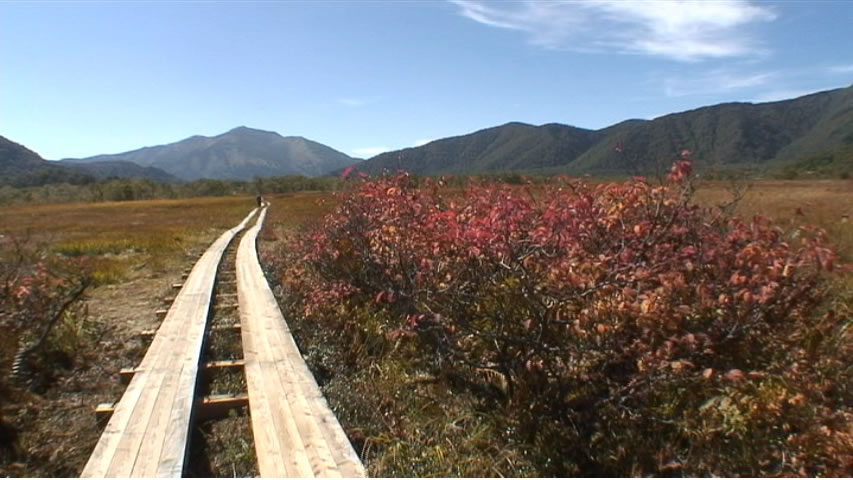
{"type": "Point", "coordinates": [119, 236]}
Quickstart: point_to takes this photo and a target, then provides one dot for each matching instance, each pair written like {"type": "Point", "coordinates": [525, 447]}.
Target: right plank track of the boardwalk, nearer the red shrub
{"type": "Point", "coordinates": [295, 431]}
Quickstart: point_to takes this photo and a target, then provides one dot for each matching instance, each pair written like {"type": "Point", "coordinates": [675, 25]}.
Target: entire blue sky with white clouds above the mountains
{"type": "Point", "coordinates": [84, 78]}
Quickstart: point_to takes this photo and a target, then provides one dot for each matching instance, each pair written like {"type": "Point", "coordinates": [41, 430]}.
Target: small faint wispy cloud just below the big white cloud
{"type": "Point", "coordinates": [714, 82]}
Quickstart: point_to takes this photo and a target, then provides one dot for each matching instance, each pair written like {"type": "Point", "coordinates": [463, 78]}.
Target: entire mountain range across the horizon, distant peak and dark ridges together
{"type": "Point", "coordinates": [810, 133]}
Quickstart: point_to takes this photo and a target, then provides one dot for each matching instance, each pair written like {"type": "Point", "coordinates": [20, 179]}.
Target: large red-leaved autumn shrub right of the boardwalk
{"type": "Point", "coordinates": [622, 329]}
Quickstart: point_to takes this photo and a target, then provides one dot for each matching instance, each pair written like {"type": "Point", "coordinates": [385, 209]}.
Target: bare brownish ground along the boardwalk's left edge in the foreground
{"type": "Point", "coordinates": [52, 432]}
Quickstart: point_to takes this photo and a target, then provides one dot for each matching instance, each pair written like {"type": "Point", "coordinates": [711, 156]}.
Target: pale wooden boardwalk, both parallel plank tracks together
{"type": "Point", "coordinates": [295, 432]}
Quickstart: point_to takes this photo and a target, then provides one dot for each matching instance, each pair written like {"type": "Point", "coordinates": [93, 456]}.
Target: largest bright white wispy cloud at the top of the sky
{"type": "Point", "coordinates": [678, 30]}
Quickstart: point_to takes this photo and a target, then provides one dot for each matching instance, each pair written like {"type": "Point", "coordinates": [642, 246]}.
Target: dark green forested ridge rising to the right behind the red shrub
{"type": "Point", "coordinates": [731, 135]}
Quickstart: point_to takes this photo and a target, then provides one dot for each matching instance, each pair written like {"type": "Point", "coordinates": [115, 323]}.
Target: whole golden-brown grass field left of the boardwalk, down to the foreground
{"type": "Point", "coordinates": [137, 250]}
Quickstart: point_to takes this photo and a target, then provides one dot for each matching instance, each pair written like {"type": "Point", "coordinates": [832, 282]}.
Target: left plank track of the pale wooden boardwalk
{"type": "Point", "coordinates": [148, 432]}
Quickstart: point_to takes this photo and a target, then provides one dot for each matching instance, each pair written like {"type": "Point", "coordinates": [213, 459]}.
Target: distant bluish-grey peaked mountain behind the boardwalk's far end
{"type": "Point", "coordinates": [239, 154]}
